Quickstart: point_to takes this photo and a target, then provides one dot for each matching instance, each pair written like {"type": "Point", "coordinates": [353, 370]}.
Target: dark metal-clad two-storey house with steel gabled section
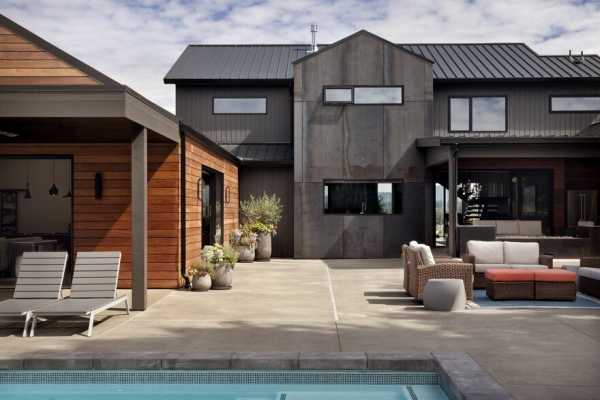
{"type": "Point", "coordinates": [371, 143]}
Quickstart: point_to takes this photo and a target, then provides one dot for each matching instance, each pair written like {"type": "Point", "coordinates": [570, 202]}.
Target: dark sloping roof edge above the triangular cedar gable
{"type": "Point", "coordinates": [55, 51]}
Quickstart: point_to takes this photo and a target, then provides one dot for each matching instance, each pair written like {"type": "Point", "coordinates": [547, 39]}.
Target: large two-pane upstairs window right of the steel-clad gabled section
{"type": "Point", "coordinates": [477, 114]}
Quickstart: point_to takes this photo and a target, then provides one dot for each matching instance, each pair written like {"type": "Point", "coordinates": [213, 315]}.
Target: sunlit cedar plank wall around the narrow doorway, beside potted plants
{"type": "Point", "coordinates": [196, 156]}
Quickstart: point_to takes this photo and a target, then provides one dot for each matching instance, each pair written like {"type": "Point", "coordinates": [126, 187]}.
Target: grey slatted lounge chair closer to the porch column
{"type": "Point", "coordinates": [94, 289]}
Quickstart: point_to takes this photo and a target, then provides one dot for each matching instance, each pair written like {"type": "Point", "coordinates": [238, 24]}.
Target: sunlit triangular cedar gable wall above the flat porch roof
{"type": "Point", "coordinates": [23, 63]}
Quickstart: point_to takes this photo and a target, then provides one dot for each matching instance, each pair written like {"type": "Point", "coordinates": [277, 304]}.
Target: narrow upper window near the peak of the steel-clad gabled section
{"type": "Point", "coordinates": [363, 95]}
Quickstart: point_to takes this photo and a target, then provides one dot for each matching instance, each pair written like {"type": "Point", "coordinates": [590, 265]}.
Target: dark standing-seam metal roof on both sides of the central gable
{"type": "Point", "coordinates": [452, 61]}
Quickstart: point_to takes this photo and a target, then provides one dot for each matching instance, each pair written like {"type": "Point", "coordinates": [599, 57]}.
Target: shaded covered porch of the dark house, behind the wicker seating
{"type": "Point", "coordinates": [549, 187]}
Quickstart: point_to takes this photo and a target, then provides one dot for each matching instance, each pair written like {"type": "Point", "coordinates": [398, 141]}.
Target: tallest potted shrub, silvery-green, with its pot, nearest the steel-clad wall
{"type": "Point", "coordinates": [262, 214]}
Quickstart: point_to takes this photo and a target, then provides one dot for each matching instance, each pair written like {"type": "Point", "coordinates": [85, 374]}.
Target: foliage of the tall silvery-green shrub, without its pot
{"type": "Point", "coordinates": [262, 214]}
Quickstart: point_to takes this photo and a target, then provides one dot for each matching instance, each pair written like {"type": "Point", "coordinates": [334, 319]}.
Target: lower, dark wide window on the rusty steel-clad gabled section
{"type": "Point", "coordinates": [363, 198]}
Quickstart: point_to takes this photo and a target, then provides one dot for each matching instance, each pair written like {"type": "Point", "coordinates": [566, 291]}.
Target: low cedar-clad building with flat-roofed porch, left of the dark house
{"type": "Point", "coordinates": [90, 164]}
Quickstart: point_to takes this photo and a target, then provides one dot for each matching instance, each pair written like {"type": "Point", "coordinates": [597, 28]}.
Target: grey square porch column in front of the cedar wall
{"type": "Point", "coordinates": [139, 220]}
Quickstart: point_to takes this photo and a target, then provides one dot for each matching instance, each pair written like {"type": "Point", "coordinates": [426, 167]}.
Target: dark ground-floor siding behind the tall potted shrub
{"type": "Point", "coordinates": [273, 180]}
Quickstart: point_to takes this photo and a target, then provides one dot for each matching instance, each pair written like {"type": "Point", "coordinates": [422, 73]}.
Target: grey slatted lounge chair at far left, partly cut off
{"type": "Point", "coordinates": [39, 284]}
